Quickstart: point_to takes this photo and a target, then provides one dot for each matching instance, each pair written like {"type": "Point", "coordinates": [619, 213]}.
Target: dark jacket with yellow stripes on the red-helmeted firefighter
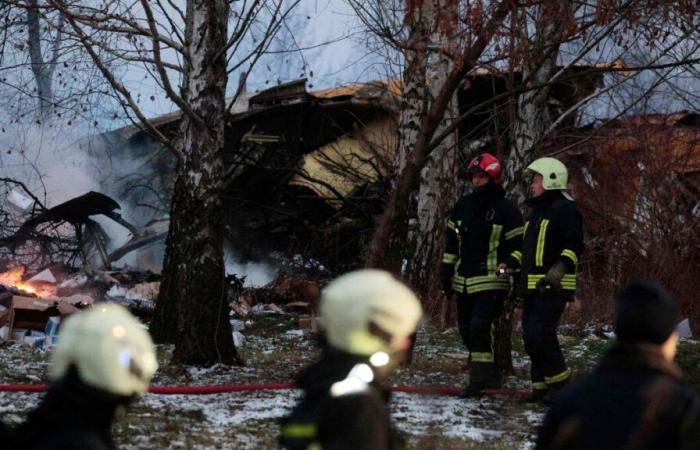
{"type": "Point", "coordinates": [483, 230]}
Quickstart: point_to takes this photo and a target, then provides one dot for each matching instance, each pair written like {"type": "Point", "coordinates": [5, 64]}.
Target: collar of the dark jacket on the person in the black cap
{"type": "Point", "coordinates": [638, 356]}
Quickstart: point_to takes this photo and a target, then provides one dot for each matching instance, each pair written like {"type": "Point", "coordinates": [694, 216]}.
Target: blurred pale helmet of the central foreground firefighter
{"type": "Point", "coordinates": [368, 311]}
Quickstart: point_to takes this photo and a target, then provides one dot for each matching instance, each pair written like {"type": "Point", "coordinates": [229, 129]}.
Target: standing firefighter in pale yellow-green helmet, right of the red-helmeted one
{"type": "Point", "coordinates": [552, 246]}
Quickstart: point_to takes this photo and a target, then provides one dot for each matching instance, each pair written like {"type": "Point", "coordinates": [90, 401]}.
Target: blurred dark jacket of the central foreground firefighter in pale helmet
{"type": "Point", "coordinates": [338, 412]}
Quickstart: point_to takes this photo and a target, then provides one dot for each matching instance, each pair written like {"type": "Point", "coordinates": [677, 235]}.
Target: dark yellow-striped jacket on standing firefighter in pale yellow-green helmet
{"type": "Point", "coordinates": [553, 232]}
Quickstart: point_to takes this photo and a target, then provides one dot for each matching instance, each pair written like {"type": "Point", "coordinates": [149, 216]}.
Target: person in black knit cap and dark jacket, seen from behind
{"type": "Point", "coordinates": [635, 398]}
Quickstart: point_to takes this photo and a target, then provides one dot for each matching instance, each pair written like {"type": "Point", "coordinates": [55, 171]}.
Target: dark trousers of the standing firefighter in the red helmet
{"type": "Point", "coordinates": [476, 314]}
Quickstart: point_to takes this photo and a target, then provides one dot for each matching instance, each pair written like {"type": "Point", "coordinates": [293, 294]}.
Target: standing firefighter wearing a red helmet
{"type": "Point", "coordinates": [483, 231]}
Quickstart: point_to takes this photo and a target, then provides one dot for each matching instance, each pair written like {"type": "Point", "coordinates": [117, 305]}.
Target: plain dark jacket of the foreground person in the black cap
{"type": "Point", "coordinates": [634, 399]}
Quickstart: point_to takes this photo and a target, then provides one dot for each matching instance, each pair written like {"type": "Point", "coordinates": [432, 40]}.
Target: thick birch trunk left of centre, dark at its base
{"type": "Point", "coordinates": [191, 311]}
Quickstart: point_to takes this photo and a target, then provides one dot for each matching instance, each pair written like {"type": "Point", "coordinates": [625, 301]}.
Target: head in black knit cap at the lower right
{"type": "Point", "coordinates": [646, 313]}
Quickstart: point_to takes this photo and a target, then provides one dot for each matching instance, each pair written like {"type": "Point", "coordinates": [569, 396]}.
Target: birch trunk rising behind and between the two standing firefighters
{"type": "Point", "coordinates": [532, 119]}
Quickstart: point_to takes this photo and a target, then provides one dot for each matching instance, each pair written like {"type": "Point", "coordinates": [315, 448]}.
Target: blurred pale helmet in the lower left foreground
{"type": "Point", "coordinates": [109, 348]}
